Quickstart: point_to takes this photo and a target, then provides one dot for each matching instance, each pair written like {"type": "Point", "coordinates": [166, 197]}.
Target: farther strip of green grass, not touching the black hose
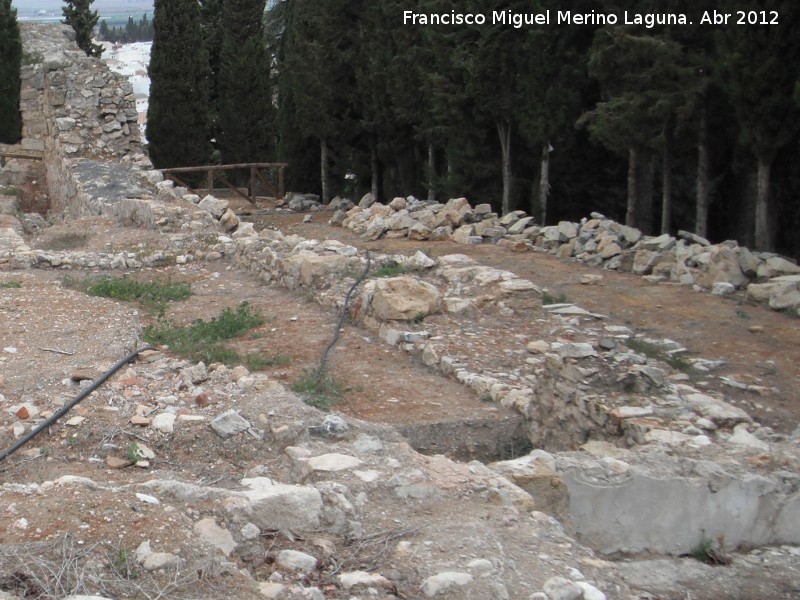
{"type": "Point", "coordinates": [153, 295]}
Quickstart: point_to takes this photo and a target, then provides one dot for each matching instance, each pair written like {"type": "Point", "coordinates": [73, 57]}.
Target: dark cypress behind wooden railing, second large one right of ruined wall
{"type": "Point", "coordinates": [244, 98]}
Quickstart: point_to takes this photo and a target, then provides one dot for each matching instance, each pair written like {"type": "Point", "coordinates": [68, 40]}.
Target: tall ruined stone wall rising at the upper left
{"type": "Point", "coordinates": [73, 107]}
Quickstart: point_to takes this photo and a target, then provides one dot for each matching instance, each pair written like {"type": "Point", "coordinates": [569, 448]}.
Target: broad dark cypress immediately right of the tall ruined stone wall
{"type": "Point", "coordinates": [177, 115]}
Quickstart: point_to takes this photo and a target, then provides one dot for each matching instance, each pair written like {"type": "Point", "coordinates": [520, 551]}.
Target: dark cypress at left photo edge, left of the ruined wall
{"type": "Point", "coordinates": [10, 61]}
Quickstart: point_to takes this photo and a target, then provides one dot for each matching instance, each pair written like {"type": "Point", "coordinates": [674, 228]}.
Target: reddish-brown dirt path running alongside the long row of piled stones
{"type": "Point", "coordinates": [710, 327]}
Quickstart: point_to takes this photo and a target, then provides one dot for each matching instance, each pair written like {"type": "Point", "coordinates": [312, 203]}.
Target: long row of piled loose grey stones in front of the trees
{"type": "Point", "coordinates": [598, 241]}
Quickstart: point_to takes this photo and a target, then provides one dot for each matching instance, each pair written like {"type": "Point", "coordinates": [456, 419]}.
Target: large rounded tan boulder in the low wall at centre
{"type": "Point", "coordinates": [404, 299]}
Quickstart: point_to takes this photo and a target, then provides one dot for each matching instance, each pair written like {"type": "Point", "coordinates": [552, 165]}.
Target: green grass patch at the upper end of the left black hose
{"type": "Point", "coordinates": [205, 340]}
